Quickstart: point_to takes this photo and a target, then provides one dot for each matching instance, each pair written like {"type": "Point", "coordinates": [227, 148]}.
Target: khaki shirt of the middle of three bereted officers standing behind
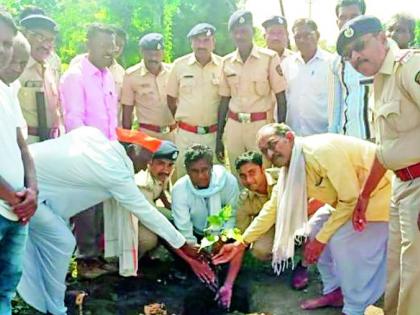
{"type": "Point", "coordinates": [196, 88]}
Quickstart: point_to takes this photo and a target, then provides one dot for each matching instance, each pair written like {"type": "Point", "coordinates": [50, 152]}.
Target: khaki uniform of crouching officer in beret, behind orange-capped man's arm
{"type": "Point", "coordinates": [151, 189]}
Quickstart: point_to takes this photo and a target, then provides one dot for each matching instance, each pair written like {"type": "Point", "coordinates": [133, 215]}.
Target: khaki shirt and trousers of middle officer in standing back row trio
{"type": "Point", "coordinates": [197, 90]}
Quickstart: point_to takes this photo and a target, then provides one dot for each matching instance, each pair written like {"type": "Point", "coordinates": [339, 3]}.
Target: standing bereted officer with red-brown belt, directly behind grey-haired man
{"type": "Point", "coordinates": [250, 75]}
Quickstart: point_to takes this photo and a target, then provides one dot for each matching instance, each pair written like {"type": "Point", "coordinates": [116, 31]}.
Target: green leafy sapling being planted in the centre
{"type": "Point", "coordinates": [215, 231]}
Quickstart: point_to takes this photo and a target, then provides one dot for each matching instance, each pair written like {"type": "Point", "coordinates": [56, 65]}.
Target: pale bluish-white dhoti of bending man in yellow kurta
{"type": "Point", "coordinates": [353, 261]}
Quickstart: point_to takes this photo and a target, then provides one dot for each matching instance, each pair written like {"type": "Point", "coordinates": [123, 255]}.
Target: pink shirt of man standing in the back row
{"type": "Point", "coordinates": [88, 98]}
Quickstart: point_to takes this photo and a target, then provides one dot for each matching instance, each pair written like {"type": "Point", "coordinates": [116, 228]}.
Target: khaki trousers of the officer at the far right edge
{"type": "Point", "coordinates": [402, 295]}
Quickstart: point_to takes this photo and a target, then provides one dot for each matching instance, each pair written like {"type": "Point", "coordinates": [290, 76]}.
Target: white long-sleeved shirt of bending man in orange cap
{"type": "Point", "coordinates": [83, 168]}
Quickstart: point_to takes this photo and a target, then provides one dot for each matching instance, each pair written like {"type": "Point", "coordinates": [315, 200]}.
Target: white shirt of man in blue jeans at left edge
{"type": "Point", "coordinates": [11, 165]}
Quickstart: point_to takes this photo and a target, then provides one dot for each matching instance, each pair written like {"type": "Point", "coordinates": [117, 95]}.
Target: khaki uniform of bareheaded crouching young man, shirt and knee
{"type": "Point", "coordinates": [249, 206]}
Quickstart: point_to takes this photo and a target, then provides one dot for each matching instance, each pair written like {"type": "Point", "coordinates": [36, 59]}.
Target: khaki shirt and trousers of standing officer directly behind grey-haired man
{"type": "Point", "coordinates": [250, 85]}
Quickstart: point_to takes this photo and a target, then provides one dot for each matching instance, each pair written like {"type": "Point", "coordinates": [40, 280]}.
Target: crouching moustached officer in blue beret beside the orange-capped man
{"type": "Point", "coordinates": [154, 184]}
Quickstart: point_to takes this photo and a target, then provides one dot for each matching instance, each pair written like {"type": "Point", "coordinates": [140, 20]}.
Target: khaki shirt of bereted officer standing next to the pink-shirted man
{"type": "Point", "coordinates": [147, 93]}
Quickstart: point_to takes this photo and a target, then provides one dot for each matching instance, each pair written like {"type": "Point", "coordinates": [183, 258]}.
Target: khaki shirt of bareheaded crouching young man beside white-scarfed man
{"type": "Point", "coordinates": [250, 202]}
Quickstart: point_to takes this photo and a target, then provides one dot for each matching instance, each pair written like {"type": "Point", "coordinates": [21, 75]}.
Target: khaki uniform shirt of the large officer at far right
{"type": "Point", "coordinates": [397, 108]}
